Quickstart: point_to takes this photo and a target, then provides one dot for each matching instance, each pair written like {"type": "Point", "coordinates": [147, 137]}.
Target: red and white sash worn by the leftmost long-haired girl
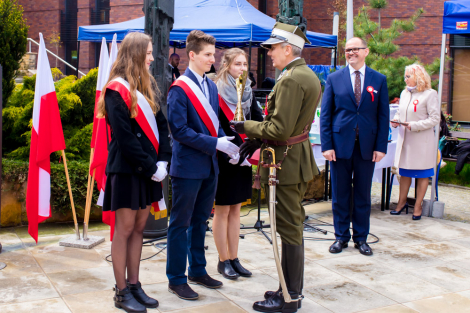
{"type": "Point", "coordinates": [145, 118]}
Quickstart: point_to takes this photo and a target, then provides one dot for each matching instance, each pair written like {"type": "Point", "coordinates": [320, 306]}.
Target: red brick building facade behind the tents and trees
{"type": "Point", "coordinates": [65, 16]}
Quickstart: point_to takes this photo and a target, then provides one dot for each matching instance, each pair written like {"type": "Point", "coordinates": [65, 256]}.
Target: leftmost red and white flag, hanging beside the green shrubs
{"type": "Point", "coordinates": [46, 137]}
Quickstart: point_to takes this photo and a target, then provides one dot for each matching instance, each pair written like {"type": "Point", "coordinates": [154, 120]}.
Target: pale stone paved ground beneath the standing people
{"type": "Point", "coordinates": [419, 266]}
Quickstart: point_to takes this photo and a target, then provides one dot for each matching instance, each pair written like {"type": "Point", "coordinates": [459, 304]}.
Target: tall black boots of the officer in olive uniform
{"type": "Point", "coordinates": [293, 269]}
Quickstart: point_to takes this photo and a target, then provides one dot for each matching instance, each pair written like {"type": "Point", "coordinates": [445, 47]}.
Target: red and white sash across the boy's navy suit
{"type": "Point", "coordinates": [203, 108]}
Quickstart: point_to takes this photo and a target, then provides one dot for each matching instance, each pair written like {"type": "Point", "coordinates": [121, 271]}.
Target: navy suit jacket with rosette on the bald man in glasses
{"type": "Point", "coordinates": [340, 115]}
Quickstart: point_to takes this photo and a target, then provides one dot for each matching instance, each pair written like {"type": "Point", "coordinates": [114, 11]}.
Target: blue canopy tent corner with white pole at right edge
{"type": "Point", "coordinates": [456, 20]}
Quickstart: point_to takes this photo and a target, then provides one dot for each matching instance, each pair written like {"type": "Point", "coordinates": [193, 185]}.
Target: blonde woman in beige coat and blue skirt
{"type": "Point", "coordinates": [417, 114]}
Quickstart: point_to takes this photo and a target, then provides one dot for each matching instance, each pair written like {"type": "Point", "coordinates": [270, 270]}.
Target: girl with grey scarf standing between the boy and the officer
{"type": "Point", "coordinates": [234, 185]}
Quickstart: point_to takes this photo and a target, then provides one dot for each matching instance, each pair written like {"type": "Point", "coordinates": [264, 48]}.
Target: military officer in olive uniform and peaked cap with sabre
{"type": "Point", "coordinates": [290, 112]}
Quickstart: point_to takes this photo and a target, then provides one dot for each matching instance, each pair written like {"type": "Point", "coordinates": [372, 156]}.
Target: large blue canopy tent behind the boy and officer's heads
{"type": "Point", "coordinates": [234, 23]}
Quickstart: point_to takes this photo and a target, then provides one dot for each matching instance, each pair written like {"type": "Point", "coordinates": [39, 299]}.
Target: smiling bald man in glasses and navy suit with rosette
{"type": "Point", "coordinates": [354, 123]}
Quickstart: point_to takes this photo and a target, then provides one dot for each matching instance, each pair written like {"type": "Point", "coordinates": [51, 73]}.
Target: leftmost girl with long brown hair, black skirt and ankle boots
{"type": "Point", "coordinates": [138, 155]}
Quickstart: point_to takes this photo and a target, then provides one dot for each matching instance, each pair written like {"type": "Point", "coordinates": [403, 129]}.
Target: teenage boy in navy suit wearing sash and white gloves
{"type": "Point", "coordinates": [193, 108]}
